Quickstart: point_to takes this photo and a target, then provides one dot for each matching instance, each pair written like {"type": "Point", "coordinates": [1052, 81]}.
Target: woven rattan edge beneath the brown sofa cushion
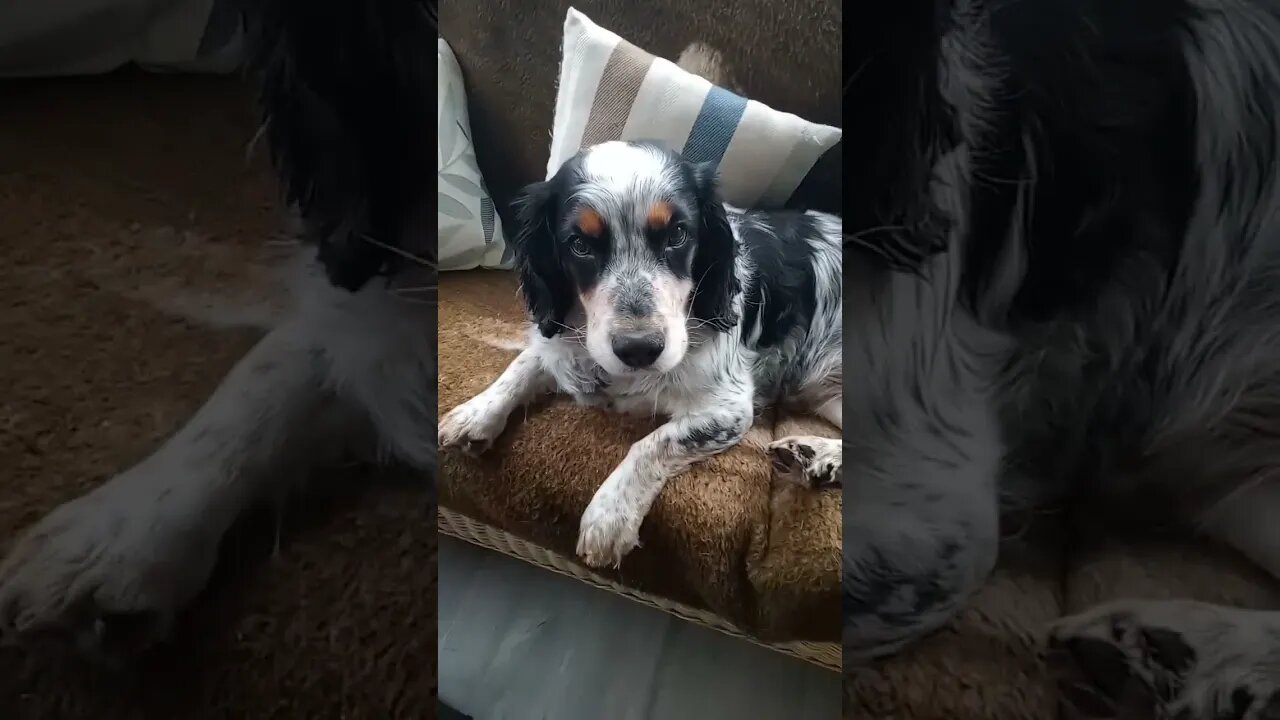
{"type": "Point", "coordinates": [461, 527]}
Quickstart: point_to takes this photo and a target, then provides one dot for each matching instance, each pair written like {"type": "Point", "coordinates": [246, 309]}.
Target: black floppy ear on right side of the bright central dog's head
{"type": "Point", "coordinates": [715, 259]}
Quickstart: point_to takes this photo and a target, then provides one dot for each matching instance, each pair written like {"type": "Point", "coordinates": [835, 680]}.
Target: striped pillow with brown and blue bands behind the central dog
{"type": "Point", "coordinates": [612, 90]}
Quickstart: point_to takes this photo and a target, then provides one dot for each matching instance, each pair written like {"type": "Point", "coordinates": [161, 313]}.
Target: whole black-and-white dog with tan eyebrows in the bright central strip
{"type": "Point", "coordinates": [650, 295]}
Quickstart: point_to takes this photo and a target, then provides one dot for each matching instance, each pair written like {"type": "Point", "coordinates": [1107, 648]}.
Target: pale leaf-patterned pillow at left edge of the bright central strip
{"type": "Point", "coordinates": [470, 231]}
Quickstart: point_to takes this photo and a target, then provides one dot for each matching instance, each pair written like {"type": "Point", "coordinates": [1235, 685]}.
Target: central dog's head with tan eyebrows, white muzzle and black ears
{"type": "Point", "coordinates": [628, 248]}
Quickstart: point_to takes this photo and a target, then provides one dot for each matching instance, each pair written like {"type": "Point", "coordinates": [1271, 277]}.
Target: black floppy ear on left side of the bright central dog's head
{"type": "Point", "coordinates": [543, 281]}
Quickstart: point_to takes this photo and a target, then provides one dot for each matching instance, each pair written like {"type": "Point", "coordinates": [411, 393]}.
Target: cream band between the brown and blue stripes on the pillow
{"type": "Point", "coordinates": [668, 106]}
